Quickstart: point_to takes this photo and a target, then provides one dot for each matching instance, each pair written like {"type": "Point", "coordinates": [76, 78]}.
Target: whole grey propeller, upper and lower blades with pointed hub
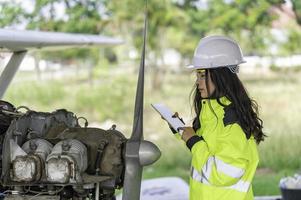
{"type": "Point", "coordinates": [138, 152]}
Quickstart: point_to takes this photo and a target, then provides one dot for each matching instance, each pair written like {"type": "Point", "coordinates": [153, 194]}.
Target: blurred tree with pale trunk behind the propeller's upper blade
{"type": "Point", "coordinates": [164, 19]}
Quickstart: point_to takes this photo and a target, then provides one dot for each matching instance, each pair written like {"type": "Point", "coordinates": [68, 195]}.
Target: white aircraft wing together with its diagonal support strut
{"type": "Point", "coordinates": [19, 42]}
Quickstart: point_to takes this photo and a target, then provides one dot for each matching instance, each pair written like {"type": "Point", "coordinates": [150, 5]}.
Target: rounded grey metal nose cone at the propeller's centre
{"type": "Point", "coordinates": [148, 153]}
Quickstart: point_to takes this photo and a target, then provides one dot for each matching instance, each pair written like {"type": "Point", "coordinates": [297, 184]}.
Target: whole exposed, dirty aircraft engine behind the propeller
{"type": "Point", "coordinates": [51, 154]}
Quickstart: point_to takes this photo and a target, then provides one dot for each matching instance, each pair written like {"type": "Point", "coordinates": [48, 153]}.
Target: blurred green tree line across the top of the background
{"type": "Point", "coordinates": [172, 24]}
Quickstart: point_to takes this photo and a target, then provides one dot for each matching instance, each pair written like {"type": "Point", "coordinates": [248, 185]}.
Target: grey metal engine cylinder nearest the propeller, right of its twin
{"type": "Point", "coordinates": [66, 161]}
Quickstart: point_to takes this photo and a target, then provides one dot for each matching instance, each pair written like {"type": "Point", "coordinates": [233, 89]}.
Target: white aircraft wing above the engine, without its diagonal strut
{"type": "Point", "coordinates": [17, 40]}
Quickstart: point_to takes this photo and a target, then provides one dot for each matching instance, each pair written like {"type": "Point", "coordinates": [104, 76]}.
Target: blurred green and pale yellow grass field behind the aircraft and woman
{"type": "Point", "coordinates": [111, 99]}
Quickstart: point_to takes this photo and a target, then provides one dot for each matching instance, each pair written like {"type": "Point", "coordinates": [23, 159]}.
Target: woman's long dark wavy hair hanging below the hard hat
{"type": "Point", "coordinates": [227, 84]}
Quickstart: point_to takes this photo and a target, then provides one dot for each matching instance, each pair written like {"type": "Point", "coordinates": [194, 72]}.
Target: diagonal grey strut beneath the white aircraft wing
{"type": "Point", "coordinates": [10, 71]}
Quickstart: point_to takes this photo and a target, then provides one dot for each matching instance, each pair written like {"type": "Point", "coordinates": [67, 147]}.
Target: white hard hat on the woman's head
{"type": "Point", "coordinates": [217, 51]}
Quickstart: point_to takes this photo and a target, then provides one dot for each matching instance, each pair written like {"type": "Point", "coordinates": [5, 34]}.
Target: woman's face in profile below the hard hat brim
{"type": "Point", "coordinates": [201, 83]}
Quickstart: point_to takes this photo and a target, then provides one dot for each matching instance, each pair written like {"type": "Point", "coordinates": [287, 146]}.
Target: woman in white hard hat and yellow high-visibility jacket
{"type": "Point", "coordinates": [226, 130]}
